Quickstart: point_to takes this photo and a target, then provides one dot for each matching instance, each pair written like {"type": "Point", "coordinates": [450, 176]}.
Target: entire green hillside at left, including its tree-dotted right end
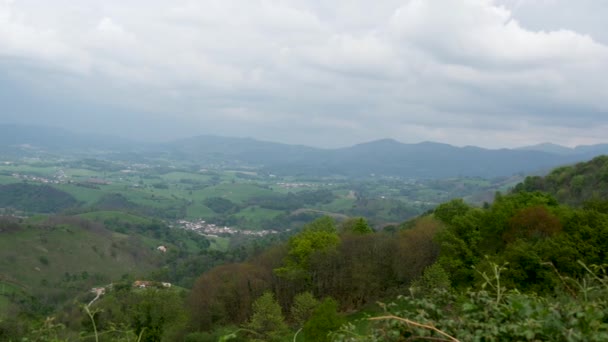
{"type": "Point", "coordinates": [46, 262]}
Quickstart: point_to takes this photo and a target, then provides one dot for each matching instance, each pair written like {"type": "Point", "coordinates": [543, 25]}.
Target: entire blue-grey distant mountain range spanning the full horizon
{"type": "Point", "coordinates": [382, 157]}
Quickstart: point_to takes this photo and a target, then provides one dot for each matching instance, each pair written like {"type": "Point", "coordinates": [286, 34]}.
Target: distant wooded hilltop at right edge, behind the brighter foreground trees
{"type": "Point", "coordinates": [573, 184]}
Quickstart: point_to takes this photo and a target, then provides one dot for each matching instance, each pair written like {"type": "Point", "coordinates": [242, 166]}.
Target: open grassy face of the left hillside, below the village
{"type": "Point", "coordinates": [40, 259]}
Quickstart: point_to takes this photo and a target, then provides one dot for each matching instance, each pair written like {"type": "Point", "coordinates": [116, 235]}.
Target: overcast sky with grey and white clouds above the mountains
{"type": "Point", "coordinates": [490, 73]}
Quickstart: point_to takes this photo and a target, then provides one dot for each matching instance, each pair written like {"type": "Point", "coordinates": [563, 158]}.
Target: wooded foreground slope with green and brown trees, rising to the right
{"type": "Point", "coordinates": [529, 266]}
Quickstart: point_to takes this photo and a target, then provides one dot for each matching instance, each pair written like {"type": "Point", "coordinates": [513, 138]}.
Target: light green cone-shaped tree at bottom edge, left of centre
{"type": "Point", "coordinates": [267, 319]}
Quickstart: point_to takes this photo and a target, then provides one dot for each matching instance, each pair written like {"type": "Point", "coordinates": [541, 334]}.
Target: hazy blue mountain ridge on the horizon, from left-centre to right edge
{"type": "Point", "coordinates": [382, 157]}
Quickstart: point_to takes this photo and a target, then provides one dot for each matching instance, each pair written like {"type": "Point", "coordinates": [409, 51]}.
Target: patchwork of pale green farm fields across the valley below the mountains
{"type": "Point", "coordinates": [245, 199]}
